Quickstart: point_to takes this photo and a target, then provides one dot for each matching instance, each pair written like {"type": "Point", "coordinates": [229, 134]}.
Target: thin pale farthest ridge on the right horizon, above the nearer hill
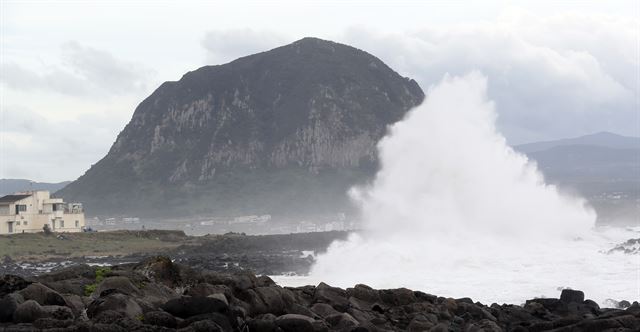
{"type": "Point", "coordinates": [603, 139]}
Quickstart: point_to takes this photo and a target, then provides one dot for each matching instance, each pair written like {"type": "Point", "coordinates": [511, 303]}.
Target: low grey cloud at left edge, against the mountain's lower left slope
{"type": "Point", "coordinates": [38, 148]}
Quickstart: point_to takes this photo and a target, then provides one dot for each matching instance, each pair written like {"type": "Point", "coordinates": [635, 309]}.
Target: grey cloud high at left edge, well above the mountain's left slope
{"type": "Point", "coordinates": [85, 72]}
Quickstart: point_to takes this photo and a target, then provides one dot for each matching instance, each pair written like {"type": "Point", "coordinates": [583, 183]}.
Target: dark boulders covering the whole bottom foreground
{"type": "Point", "coordinates": [159, 295]}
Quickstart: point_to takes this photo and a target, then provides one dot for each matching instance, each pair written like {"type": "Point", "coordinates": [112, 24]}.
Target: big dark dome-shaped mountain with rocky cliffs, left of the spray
{"type": "Point", "coordinates": [286, 129]}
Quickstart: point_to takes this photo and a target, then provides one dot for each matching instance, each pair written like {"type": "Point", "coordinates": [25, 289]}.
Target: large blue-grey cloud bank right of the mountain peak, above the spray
{"type": "Point", "coordinates": [543, 88]}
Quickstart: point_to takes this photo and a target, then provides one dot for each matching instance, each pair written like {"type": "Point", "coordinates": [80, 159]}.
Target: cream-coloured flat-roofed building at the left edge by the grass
{"type": "Point", "coordinates": [29, 212]}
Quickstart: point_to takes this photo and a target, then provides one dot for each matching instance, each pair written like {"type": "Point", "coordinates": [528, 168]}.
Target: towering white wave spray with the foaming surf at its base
{"type": "Point", "coordinates": [454, 211]}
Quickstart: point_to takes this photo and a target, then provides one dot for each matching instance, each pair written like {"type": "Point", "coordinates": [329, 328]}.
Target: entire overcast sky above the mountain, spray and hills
{"type": "Point", "coordinates": [72, 72]}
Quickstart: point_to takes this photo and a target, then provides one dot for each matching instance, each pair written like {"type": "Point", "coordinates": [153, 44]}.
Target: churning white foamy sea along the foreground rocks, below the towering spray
{"type": "Point", "coordinates": [583, 264]}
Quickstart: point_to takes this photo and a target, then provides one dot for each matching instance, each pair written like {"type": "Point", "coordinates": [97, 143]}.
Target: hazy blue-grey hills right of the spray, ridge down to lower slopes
{"type": "Point", "coordinates": [603, 167]}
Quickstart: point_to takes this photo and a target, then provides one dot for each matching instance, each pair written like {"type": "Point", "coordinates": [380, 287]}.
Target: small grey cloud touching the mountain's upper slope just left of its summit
{"type": "Point", "coordinates": [226, 45]}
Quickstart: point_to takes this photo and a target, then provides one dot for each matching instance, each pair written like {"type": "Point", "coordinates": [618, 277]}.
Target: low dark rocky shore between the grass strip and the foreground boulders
{"type": "Point", "coordinates": [263, 254]}
